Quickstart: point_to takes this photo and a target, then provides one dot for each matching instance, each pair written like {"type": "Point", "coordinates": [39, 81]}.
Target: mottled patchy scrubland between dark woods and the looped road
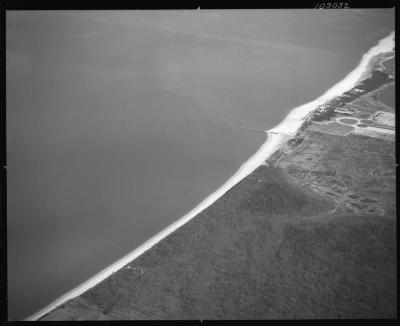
{"type": "Point", "coordinates": [357, 172]}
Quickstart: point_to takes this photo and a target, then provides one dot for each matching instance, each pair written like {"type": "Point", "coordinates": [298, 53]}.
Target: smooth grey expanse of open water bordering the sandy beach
{"type": "Point", "coordinates": [118, 123]}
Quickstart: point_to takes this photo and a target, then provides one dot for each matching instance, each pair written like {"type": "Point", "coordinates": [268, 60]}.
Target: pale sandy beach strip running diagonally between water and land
{"type": "Point", "coordinates": [277, 136]}
